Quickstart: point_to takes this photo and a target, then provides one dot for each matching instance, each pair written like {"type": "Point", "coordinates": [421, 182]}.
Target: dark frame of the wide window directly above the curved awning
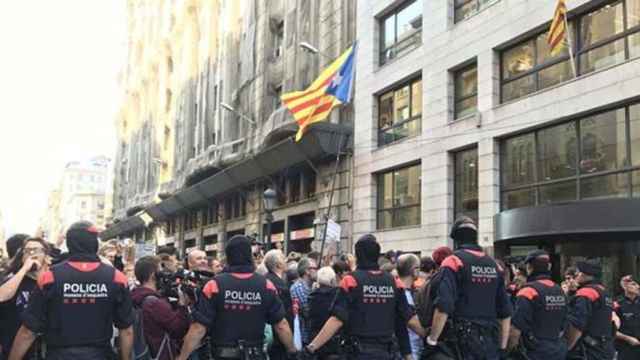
{"type": "Point", "coordinates": [627, 168]}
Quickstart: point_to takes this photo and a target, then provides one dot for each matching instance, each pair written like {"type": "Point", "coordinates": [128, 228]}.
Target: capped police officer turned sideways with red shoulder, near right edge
{"type": "Point", "coordinates": [590, 332]}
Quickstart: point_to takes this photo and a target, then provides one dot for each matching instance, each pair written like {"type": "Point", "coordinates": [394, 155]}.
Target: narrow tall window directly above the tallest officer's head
{"type": "Point", "coordinates": [466, 184]}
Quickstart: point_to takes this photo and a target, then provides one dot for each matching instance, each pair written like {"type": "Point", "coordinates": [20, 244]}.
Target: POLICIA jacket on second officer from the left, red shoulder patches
{"type": "Point", "coordinates": [237, 306]}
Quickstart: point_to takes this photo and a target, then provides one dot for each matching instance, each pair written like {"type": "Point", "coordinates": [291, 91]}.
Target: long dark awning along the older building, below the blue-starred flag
{"type": "Point", "coordinates": [322, 141]}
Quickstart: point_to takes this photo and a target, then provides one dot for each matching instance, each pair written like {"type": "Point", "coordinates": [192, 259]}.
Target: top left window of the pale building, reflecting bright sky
{"type": "Point", "coordinates": [401, 31]}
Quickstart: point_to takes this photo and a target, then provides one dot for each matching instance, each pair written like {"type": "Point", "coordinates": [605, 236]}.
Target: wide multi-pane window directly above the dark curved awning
{"type": "Point", "coordinates": [587, 158]}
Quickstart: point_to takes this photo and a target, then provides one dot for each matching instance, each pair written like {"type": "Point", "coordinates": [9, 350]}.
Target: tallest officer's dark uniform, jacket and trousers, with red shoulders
{"type": "Point", "coordinates": [472, 293]}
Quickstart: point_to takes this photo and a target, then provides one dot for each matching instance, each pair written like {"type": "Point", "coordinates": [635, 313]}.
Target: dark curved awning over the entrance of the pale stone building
{"type": "Point", "coordinates": [583, 219]}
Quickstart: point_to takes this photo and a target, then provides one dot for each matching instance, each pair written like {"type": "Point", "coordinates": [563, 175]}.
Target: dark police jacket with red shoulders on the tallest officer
{"type": "Point", "coordinates": [468, 275]}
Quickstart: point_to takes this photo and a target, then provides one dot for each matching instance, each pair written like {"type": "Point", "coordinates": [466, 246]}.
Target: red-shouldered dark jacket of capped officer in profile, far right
{"type": "Point", "coordinates": [590, 311]}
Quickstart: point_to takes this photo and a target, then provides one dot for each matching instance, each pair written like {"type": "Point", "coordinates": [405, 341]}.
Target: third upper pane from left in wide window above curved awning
{"type": "Point", "coordinates": [603, 142]}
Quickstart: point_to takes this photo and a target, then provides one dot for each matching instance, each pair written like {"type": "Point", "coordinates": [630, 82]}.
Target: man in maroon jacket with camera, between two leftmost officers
{"type": "Point", "coordinates": [159, 319]}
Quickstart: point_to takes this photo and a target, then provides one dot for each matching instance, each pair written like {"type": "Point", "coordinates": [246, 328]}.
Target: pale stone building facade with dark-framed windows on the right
{"type": "Point", "coordinates": [455, 102]}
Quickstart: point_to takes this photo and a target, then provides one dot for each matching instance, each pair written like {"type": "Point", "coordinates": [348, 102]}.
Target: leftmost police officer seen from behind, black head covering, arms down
{"type": "Point", "coordinates": [77, 303]}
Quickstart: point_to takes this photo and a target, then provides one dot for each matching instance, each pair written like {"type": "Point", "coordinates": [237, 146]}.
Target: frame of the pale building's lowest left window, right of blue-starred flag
{"type": "Point", "coordinates": [394, 209]}
